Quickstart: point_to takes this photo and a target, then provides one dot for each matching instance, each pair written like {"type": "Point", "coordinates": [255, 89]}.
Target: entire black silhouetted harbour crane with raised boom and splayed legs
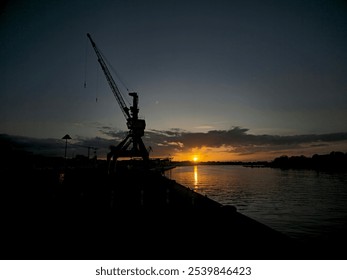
{"type": "Point", "coordinates": [132, 145]}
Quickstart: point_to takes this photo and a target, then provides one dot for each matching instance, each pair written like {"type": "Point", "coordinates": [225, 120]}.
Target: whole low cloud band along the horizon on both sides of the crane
{"type": "Point", "coordinates": [237, 140]}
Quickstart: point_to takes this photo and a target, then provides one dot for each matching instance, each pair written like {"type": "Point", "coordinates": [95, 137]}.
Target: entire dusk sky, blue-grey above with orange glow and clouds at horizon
{"type": "Point", "coordinates": [219, 79]}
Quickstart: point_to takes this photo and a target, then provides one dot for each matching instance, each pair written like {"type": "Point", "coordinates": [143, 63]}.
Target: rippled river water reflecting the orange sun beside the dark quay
{"type": "Point", "coordinates": [303, 204]}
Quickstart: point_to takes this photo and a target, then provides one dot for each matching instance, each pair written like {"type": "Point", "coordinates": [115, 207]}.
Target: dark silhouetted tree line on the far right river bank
{"type": "Point", "coordinates": [335, 161]}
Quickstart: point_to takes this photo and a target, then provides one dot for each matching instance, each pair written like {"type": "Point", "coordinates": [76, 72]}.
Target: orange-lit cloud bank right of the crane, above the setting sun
{"type": "Point", "coordinates": [237, 140]}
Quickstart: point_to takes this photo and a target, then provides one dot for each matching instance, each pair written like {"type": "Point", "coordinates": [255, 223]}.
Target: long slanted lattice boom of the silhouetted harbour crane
{"type": "Point", "coordinates": [110, 80]}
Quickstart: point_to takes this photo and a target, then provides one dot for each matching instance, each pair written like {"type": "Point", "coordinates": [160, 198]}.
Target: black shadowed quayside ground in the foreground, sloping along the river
{"type": "Point", "coordinates": [89, 214]}
